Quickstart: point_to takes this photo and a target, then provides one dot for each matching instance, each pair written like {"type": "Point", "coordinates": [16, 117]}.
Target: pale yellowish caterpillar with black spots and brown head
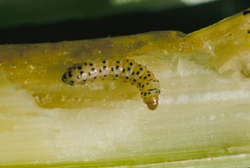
{"type": "Point", "coordinates": [126, 70]}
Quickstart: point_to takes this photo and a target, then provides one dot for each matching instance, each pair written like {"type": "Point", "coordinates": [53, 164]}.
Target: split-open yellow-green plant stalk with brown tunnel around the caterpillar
{"type": "Point", "coordinates": [203, 117]}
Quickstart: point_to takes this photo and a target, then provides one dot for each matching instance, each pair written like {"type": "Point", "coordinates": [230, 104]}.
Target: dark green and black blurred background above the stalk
{"type": "Point", "coordinates": [31, 21]}
